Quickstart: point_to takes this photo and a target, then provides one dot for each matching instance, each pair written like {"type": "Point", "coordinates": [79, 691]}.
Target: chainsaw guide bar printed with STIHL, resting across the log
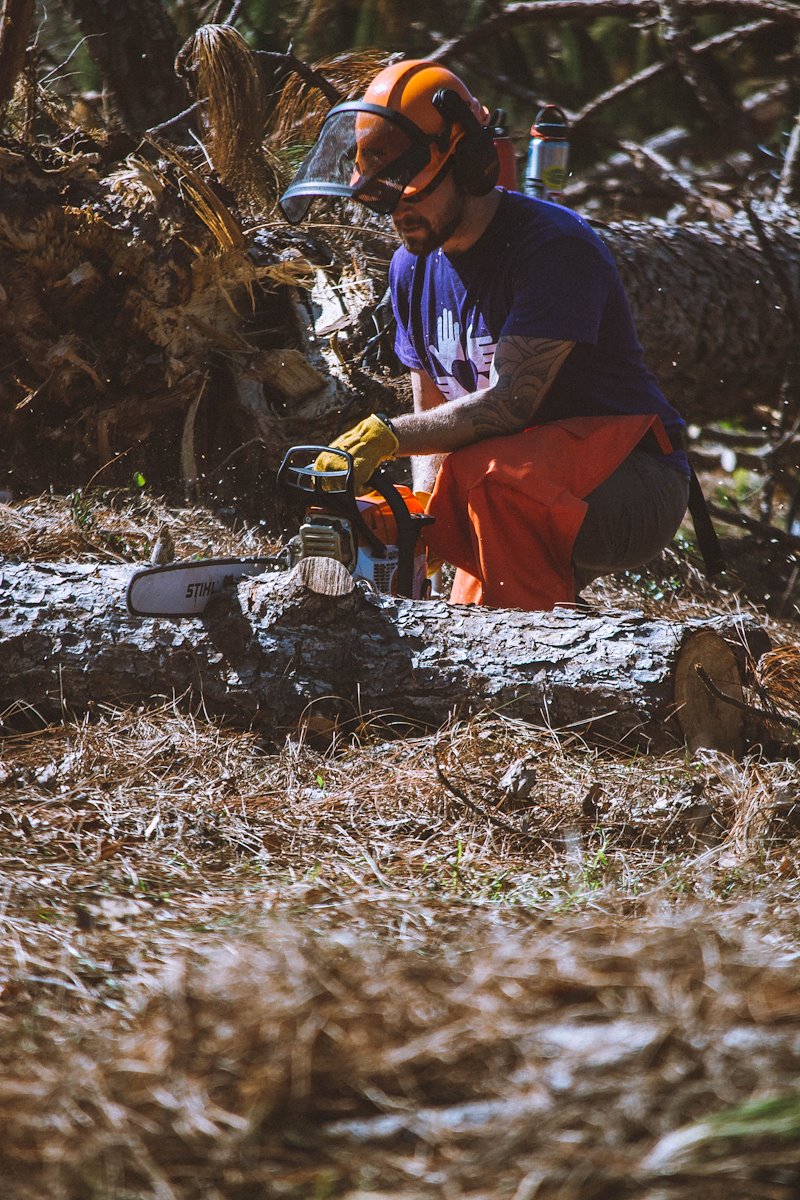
{"type": "Point", "coordinates": [184, 590]}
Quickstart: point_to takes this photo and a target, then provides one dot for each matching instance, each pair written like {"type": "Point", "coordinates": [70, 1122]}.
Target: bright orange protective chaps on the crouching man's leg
{"type": "Point", "coordinates": [508, 511]}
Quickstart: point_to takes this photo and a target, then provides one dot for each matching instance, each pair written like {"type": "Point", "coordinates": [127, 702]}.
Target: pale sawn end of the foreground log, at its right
{"type": "Point", "coordinates": [706, 721]}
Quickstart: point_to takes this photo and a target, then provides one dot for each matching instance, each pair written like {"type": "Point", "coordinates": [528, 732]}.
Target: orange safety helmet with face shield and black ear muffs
{"type": "Point", "coordinates": [416, 123]}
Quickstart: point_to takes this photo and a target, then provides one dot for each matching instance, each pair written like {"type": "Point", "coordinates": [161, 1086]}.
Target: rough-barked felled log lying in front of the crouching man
{"type": "Point", "coordinates": [311, 641]}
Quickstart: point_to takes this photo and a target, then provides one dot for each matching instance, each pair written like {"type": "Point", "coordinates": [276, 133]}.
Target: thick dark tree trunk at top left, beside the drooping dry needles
{"type": "Point", "coordinates": [135, 45]}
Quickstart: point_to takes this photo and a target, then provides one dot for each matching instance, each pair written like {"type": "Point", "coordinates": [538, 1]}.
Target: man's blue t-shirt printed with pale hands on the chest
{"type": "Point", "coordinates": [539, 271]}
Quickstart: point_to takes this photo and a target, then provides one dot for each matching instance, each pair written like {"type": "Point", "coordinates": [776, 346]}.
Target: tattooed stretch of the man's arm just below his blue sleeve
{"type": "Point", "coordinates": [525, 369]}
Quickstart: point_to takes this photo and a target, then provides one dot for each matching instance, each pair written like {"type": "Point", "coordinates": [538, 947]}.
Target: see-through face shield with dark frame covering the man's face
{"type": "Point", "coordinates": [364, 153]}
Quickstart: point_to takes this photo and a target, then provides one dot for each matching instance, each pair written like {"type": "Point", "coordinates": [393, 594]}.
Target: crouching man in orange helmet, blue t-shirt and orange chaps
{"type": "Point", "coordinates": [563, 458]}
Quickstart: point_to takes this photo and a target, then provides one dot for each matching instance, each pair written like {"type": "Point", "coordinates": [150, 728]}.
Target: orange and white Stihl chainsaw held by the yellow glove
{"type": "Point", "coordinates": [377, 537]}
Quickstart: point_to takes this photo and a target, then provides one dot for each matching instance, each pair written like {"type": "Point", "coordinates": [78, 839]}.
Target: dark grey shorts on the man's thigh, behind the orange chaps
{"type": "Point", "coordinates": [631, 518]}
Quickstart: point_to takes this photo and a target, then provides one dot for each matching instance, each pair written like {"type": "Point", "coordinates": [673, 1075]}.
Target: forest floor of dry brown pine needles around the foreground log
{"type": "Point", "coordinates": [236, 969]}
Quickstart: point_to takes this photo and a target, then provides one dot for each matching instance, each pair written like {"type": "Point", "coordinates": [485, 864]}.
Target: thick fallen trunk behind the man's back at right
{"type": "Point", "coordinates": [712, 309]}
